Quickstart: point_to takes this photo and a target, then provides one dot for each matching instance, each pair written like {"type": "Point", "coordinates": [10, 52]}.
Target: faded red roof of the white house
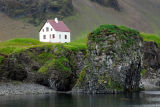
{"type": "Point", "coordinates": [60, 26]}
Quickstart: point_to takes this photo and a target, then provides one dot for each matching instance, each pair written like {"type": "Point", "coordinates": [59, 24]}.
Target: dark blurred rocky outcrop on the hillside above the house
{"type": "Point", "coordinates": [37, 10]}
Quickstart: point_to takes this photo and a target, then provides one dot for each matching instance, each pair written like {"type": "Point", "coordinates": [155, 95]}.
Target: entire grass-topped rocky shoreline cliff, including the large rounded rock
{"type": "Point", "coordinates": [113, 60]}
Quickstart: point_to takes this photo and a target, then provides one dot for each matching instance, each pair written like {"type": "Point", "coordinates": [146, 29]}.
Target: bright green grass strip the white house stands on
{"type": "Point", "coordinates": [19, 44]}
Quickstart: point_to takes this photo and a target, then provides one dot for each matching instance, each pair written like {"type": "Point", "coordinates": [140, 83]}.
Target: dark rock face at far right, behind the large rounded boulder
{"type": "Point", "coordinates": [151, 68]}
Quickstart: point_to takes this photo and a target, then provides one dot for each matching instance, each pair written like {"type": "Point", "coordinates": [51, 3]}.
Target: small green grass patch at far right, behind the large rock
{"type": "Point", "coordinates": [151, 37]}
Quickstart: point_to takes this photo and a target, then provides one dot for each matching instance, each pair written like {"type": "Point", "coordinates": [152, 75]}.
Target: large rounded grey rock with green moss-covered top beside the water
{"type": "Point", "coordinates": [114, 61]}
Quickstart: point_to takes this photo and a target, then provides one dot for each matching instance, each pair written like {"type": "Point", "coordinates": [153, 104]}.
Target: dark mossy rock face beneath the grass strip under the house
{"type": "Point", "coordinates": [54, 66]}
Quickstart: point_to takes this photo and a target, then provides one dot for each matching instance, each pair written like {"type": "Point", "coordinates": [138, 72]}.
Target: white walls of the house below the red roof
{"type": "Point", "coordinates": [59, 36]}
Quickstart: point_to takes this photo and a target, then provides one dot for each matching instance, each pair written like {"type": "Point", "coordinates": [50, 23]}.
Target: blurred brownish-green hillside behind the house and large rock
{"type": "Point", "coordinates": [139, 14]}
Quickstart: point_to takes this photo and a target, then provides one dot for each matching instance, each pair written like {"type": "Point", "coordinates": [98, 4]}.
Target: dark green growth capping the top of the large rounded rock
{"type": "Point", "coordinates": [127, 35]}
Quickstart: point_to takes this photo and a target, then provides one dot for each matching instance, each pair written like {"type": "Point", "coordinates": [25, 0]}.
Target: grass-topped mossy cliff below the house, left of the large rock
{"type": "Point", "coordinates": [25, 59]}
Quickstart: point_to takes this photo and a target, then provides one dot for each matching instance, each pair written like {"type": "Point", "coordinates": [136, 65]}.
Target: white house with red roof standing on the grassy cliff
{"type": "Point", "coordinates": [54, 31]}
